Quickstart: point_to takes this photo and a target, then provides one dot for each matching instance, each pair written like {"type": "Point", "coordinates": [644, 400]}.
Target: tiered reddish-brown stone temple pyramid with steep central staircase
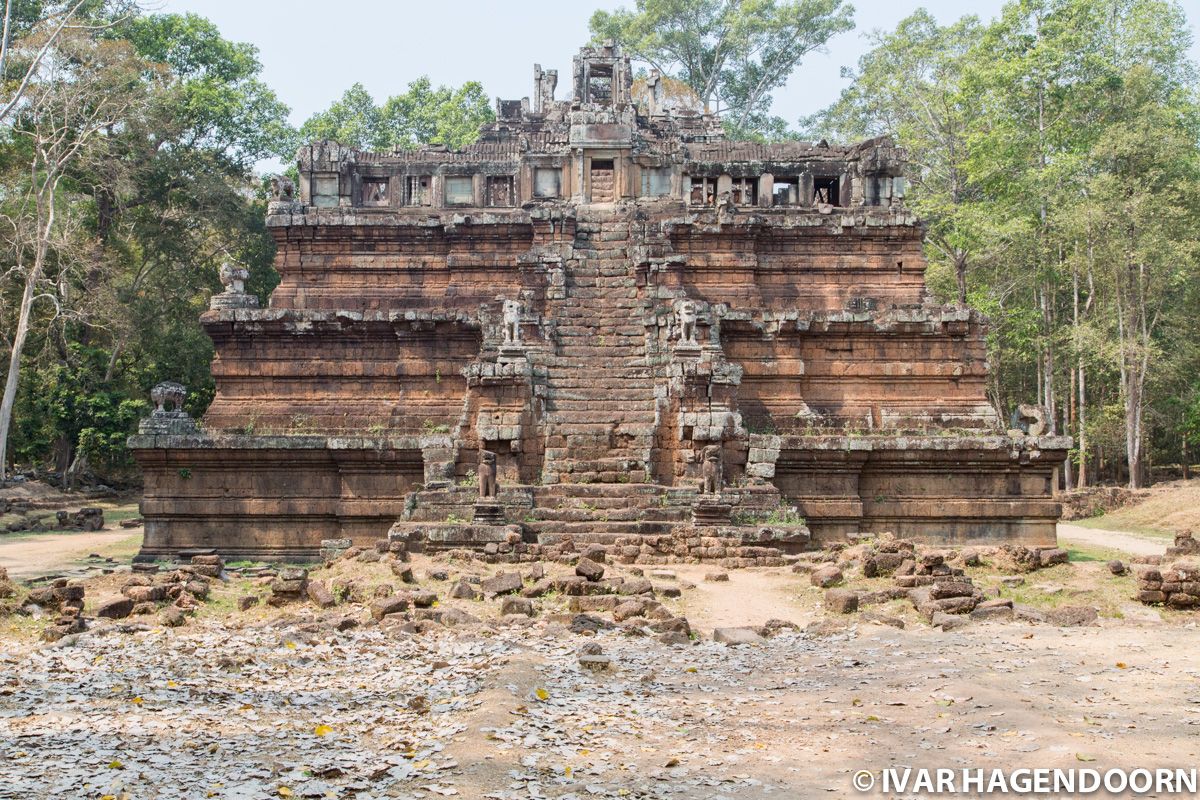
{"type": "Point", "coordinates": [602, 323]}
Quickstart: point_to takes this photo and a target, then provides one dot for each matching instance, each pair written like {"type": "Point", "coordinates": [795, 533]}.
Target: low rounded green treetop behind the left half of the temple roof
{"type": "Point", "coordinates": [425, 115]}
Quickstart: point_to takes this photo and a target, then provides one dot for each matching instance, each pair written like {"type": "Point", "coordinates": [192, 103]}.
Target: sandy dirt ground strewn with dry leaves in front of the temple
{"type": "Point", "coordinates": [297, 703]}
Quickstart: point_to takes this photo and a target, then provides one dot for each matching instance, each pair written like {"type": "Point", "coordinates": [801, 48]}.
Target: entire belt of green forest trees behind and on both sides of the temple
{"type": "Point", "coordinates": [1054, 158]}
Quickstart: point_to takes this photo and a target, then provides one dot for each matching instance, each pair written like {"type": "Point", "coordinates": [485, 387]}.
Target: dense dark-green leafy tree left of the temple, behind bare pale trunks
{"type": "Point", "coordinates": [170, 195]}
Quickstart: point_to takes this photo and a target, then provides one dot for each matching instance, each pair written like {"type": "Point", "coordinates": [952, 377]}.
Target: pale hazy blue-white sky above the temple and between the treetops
{"type": "Point", "coordinates": [315, 50]}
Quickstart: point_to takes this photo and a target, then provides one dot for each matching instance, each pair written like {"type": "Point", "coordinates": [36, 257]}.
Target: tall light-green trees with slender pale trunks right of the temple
{"type": "Point", "coordinates": [1036, 169]}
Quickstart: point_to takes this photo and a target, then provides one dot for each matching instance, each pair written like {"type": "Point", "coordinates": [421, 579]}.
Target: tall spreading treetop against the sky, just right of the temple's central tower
{"type": "Point", "coordinates": [733, 53]}
